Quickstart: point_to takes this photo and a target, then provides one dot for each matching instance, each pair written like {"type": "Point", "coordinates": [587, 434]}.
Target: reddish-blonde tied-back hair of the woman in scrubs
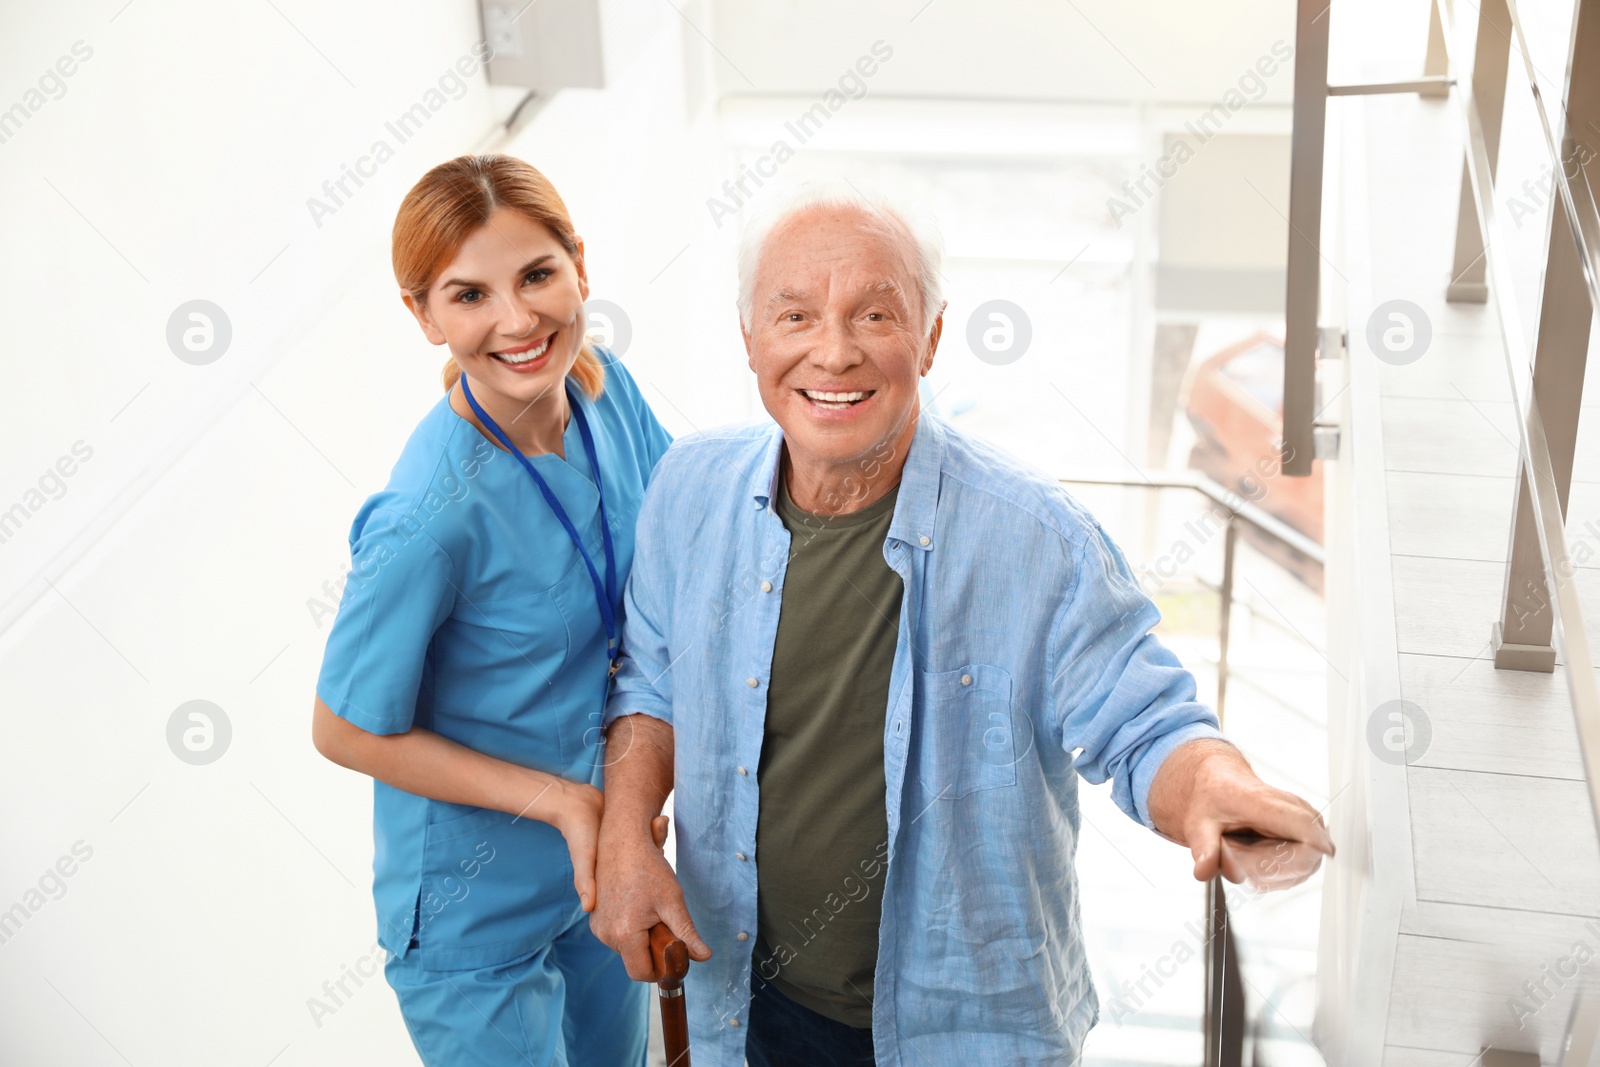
{"type": "Point", "coordinates": [450, 204]}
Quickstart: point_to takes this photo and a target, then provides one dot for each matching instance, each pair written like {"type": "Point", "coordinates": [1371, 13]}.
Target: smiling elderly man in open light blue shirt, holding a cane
{"type": "Point", "coordinates": [874, 657]}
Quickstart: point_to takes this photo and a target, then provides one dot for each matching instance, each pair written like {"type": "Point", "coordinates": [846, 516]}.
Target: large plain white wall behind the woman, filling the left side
{"type": "Point", "coordinates": [218, 900]}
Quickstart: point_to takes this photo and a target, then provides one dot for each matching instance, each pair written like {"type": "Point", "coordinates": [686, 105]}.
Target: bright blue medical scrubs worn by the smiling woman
{"type": "Point", "coordinates": [471, 613]}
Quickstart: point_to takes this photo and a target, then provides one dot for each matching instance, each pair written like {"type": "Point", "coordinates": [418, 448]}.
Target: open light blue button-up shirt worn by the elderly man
{"type": "Point", "coordinates": [1023, 661]}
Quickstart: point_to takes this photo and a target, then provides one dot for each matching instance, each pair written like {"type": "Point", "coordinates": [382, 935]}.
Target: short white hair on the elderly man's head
{"type": "Point", "coordinates": [841, 194]}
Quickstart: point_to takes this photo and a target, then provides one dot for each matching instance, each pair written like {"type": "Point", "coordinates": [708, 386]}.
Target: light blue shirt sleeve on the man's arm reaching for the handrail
{"type": "Point", "coordinates": [1119, 695]}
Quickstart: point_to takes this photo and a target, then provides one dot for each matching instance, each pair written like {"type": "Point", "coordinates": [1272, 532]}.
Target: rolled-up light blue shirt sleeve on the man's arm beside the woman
{"type": "Point", "coordinates": [644, 682]}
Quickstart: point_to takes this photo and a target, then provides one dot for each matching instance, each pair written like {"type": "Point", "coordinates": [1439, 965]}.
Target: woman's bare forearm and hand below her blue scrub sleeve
{"type": "Point", "coordinates": [431, 765]}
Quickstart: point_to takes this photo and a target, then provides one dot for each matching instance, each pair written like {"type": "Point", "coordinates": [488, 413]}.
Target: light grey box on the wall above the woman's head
{"type": "Point", "coordinates": [545, 46]}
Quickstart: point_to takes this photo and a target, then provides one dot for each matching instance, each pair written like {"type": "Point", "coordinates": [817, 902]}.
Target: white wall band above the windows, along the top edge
{"type": "Point", "coordinates": [1031, 50]}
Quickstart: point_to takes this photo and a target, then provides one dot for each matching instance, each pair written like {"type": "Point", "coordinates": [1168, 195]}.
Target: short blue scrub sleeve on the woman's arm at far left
{"type": "Point", "coordinates": [398, 594]}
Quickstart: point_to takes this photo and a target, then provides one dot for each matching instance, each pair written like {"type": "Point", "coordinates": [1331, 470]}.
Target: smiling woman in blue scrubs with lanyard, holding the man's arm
{"type": "Point", "coordinates": [478, 634]}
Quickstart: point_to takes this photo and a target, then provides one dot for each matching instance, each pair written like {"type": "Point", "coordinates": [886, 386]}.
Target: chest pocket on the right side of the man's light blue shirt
{"type": "Point", "coordinates": [970, 738]}
